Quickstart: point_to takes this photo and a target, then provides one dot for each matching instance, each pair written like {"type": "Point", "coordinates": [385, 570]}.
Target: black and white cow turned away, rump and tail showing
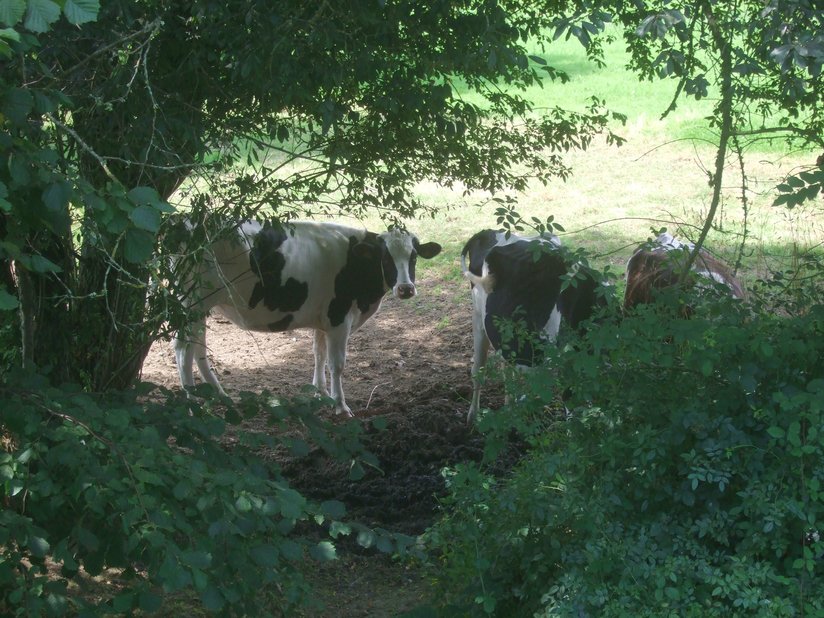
{"type": "Point", "coordinates": [513, 279]}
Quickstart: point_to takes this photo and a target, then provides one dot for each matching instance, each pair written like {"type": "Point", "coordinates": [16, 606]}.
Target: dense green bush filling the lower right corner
{"type": "Point", "coordinates": [686, 482]}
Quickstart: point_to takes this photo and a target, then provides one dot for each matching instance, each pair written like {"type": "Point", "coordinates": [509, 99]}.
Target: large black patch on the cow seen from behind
{"type": "Point", "coordinates": [526, 291]}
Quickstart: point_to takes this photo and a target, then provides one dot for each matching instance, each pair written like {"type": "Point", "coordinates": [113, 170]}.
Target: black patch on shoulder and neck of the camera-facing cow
{"type": "Point", "coordinates": [364, 279]}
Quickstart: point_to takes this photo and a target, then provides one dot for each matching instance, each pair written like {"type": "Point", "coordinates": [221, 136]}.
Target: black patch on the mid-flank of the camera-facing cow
{"type": "Point", "coordinates": [267, 263]}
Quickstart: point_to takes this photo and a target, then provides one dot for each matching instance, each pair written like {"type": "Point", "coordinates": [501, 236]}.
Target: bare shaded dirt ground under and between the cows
{"type": "Point", "coordinates": [409, 365]}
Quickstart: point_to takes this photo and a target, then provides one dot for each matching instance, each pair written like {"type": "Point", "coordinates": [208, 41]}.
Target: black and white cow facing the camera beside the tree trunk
{"type": "Point", "coordinates": [323, 276]}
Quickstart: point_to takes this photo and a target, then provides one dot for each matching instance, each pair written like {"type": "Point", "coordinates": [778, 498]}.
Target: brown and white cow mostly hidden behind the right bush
{"type": "Point", "coordinates": [658, 267]}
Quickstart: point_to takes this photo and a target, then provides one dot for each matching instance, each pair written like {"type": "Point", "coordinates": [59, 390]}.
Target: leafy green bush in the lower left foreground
{"type": "Point", "coordinates": [145, 482]}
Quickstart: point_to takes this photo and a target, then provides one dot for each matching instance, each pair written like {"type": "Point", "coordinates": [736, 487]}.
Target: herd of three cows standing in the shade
{"type": "Point", "coordinates": [332, 278]}
